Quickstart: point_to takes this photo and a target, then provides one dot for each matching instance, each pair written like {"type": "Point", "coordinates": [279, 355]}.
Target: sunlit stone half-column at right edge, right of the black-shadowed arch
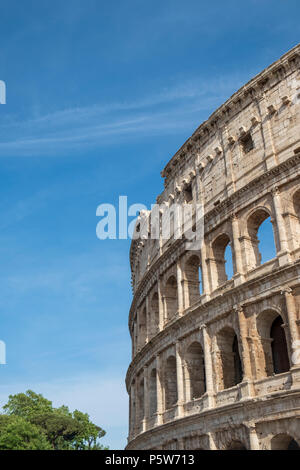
{"type": "Point", "coordinates": [292, 323]}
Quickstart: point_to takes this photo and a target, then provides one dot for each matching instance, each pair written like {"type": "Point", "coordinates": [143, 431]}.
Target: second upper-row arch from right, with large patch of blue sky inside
{"type": "Point", "coordinates": [260, 246]}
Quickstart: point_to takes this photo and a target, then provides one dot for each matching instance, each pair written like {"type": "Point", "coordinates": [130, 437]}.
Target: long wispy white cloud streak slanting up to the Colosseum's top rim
{"type": "Point", "coordinates": [175, 107]}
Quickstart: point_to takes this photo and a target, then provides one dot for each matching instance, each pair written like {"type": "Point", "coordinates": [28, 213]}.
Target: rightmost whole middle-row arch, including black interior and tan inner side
{"type": "Point", "coordinates": [274, 354]}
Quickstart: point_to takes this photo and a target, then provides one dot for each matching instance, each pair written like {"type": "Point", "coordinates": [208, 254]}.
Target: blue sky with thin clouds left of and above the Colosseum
{"type": "Point", "coordinates": [99, 97]}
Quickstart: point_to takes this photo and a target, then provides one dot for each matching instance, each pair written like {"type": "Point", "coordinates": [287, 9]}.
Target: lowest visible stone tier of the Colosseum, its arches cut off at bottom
{"type": "Point", "coordinates": [270, 423]}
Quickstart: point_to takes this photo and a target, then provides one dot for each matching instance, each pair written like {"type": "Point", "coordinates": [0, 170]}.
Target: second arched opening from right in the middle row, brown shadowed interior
{"type": "Point", "coordinates": [230, 367]}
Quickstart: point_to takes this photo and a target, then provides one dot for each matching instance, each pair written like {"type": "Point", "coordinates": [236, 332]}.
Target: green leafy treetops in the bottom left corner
{"type": "Point", "coordinates": [30, 422]}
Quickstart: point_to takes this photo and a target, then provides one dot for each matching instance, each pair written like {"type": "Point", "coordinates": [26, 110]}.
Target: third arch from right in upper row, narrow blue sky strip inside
{"type": "Point", "coordinates": [220, 272]}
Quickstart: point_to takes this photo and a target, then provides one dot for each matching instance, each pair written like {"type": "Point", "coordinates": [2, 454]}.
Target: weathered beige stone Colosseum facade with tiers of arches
{"type": "Point", "coordinates": [216, 356]}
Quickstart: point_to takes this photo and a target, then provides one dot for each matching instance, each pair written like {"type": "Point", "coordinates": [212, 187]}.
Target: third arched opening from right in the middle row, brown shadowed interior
{"type": "Point", "coordinates": [195, 371]}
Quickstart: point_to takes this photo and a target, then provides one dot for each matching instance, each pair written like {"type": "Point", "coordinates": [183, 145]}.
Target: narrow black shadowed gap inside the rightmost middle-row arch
{"type": "Point", "coordinates": [279, 347]}
